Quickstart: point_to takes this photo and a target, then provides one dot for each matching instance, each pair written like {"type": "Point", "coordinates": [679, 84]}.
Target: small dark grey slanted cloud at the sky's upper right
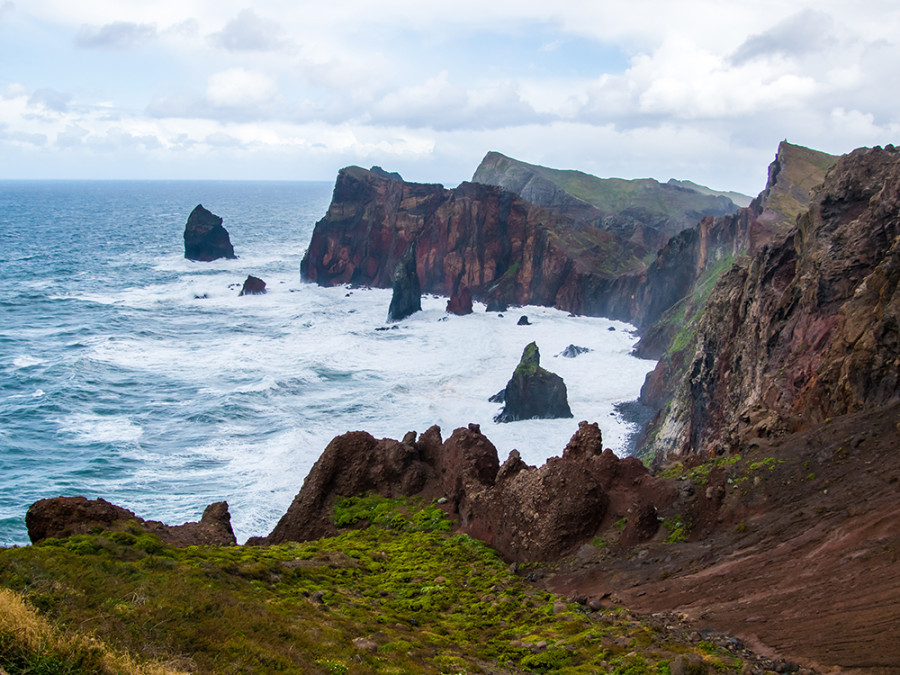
{"type": "Point", "coordinates": [804, 32]}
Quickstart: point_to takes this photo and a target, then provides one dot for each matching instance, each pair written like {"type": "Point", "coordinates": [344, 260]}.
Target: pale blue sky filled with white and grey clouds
{"type": "Point", "coordinates": [702, 90]}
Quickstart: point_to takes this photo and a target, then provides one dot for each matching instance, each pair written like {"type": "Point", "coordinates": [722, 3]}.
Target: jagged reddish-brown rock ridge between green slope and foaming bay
{"type": "Point", "coordinates": [526, 513]}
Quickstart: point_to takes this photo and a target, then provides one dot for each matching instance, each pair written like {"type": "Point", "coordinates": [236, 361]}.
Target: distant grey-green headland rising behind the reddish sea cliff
{"type": "Point", "coordinates": [642, 211]}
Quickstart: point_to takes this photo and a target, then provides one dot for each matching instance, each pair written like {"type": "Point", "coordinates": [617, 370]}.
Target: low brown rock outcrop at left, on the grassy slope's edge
{"type": "Point", "coordinates": [66, 516]}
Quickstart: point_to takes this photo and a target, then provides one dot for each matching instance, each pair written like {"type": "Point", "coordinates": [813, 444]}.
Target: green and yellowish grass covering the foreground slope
{"type": "Point", "coordinates": [424, 600]}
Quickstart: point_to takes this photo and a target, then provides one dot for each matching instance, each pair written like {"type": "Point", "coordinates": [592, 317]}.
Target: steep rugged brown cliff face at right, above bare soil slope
{"type": "Point", "coordinates": [804, 330]}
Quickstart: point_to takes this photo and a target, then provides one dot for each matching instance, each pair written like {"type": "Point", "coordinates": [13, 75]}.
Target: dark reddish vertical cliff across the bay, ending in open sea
{"type": "Point", "coordinates": [483, 237]}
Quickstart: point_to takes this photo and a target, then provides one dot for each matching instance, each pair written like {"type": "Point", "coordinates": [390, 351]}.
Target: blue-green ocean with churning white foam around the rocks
{"type": "Point", "coordinates": [132, 374]}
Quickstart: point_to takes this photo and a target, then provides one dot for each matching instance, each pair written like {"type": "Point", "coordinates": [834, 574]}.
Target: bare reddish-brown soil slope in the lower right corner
{"type": "Point", "coordinates": [799, 560]}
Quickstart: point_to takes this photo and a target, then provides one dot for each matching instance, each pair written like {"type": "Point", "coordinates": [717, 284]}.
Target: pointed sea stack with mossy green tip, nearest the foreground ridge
{"type": "Point", "coordinates": [533, 392]}
